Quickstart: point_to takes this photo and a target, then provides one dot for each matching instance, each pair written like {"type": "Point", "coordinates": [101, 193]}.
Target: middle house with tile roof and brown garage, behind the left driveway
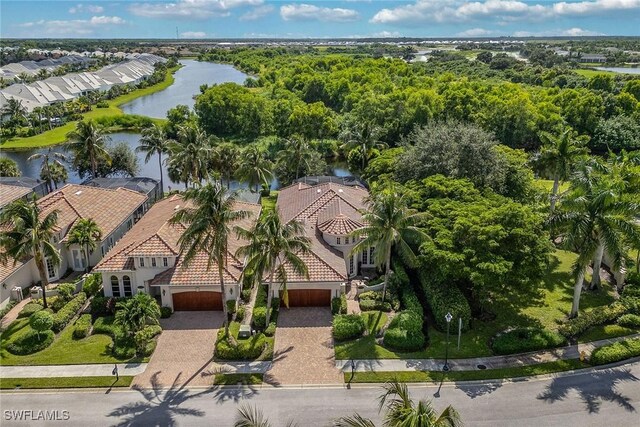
{"type": "Point", "coordinates": [147, 259]}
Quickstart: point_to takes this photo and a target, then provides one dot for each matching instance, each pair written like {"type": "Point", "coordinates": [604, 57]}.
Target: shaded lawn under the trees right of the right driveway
{"type": "Point", "coordinates": [545, 306]}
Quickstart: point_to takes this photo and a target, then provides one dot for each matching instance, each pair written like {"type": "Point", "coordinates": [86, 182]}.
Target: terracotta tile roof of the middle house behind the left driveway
{"type": "Point", "coordinates": [153, 235]}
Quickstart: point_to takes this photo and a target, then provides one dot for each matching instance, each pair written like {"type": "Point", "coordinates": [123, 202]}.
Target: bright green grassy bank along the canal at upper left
{"type": "Point", "coordinates": [58, 135]}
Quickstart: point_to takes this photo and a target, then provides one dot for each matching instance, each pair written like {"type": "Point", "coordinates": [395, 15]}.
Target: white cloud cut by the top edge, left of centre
{"type": "Point", "coordinates": [190, 9]}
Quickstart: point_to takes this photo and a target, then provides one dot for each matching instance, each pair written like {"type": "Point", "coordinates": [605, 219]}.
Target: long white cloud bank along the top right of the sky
{"type": "Point", "coordinates": [440, 11]}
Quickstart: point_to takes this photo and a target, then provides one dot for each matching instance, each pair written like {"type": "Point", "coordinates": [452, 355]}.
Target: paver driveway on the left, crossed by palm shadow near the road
{"type": "Point", "coordinates": [184, 351]}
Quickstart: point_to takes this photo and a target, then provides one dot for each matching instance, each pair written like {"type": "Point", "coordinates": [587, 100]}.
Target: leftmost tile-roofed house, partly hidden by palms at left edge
{"type": "Point", "coordinates": [115, 212]}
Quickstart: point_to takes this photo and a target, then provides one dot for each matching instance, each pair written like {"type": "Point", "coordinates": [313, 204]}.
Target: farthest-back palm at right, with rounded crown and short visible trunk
{"type": "Point", "coordinates": [558, 157]}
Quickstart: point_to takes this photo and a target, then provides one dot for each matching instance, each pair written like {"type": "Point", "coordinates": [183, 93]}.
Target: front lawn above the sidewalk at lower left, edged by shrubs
{"type": "Point", "coordinates": [65, 350]}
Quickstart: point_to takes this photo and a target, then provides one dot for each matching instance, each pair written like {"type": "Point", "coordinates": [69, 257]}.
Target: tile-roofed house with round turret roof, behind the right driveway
{"type": "Point", "coordinates": [330, 212]}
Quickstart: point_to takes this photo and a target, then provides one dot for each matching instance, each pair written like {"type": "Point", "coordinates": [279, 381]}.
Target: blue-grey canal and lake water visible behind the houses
{"type": "Point", "coordinates": [187, 84]}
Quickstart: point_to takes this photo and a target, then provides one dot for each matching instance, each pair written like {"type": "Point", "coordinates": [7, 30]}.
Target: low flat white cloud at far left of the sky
{"type": "Point", "coordinates": [78, 27]}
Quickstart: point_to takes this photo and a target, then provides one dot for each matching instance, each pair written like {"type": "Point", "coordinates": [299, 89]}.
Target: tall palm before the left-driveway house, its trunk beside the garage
{"type": "Point", "coordinates": [208, 216]}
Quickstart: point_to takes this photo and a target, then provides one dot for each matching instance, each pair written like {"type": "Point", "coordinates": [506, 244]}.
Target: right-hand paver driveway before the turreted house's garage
{"type": "Point", "coordinates": [303, 351]}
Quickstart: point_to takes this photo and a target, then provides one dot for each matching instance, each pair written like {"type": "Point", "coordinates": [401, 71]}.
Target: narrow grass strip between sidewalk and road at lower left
{"type": "Point", "coordinates": [64, 382]}
